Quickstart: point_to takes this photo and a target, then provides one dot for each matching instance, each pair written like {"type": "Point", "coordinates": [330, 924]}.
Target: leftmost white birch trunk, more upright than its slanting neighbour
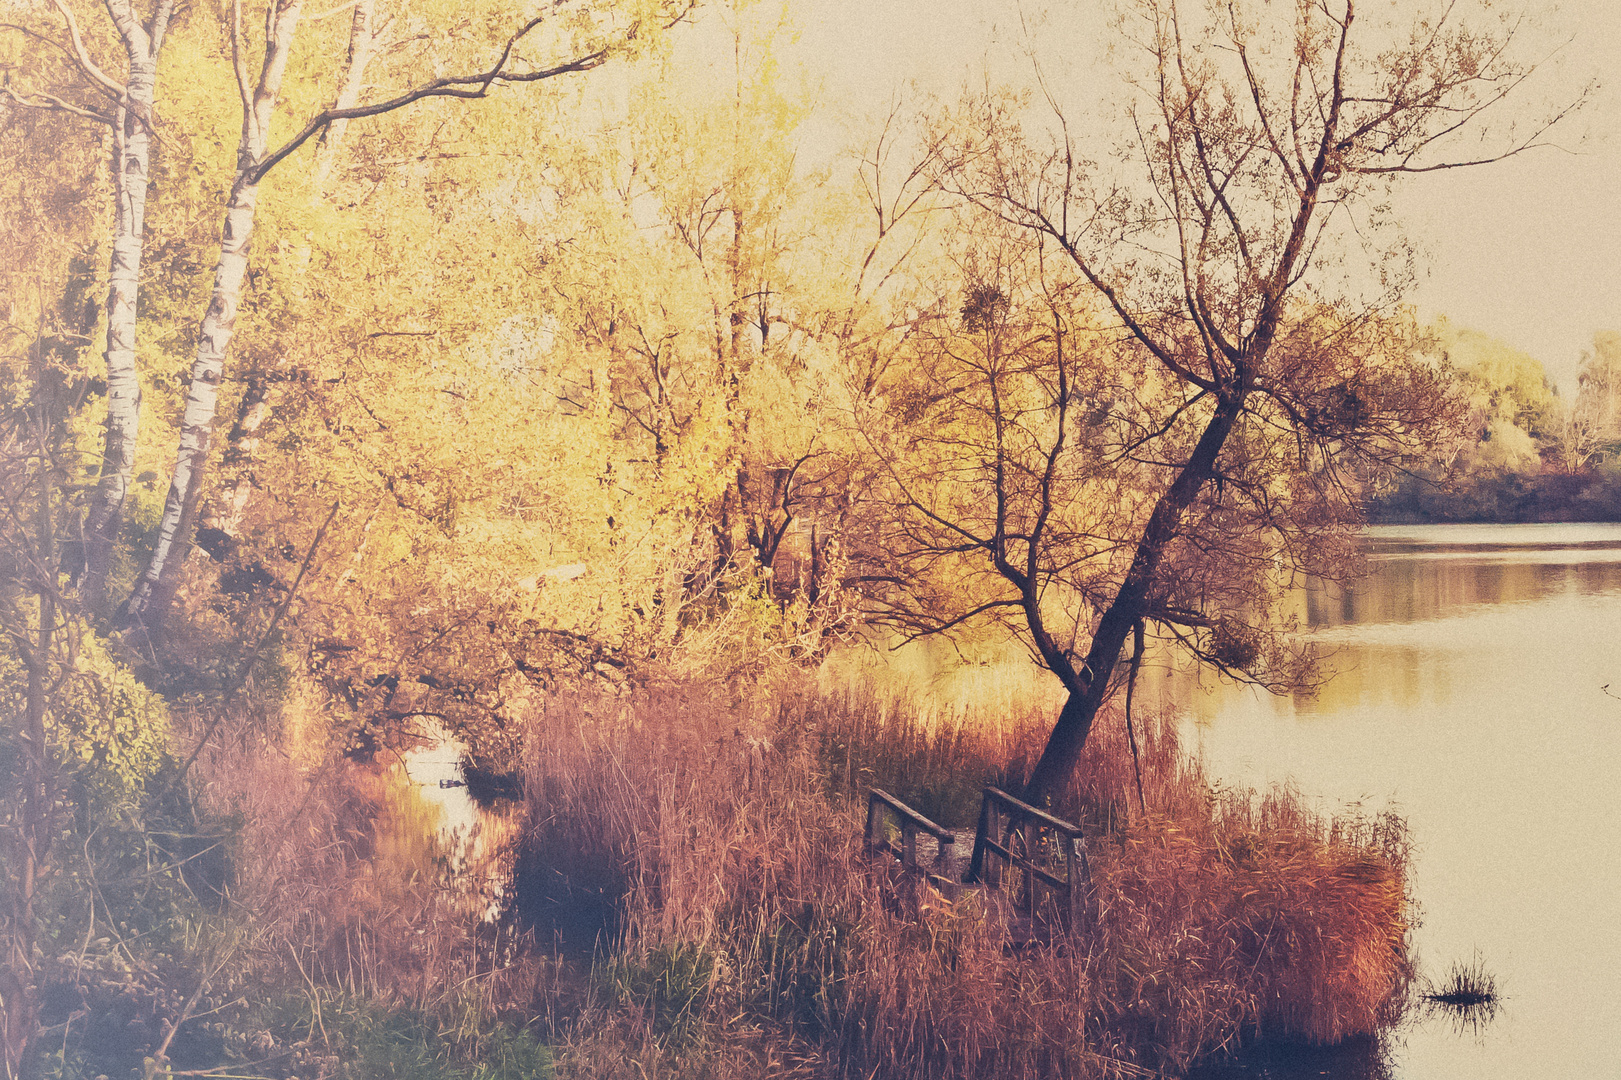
{"type": "Point", "coordinates": [132, 168]}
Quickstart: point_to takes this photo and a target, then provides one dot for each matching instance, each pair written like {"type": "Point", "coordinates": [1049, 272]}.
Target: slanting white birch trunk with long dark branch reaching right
{"type": "Point", "coordinates": [156, 589]}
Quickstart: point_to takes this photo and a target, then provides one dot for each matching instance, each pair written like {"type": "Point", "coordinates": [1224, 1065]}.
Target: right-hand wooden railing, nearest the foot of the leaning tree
{"type": "Point", "coordinates": [1027, 833]}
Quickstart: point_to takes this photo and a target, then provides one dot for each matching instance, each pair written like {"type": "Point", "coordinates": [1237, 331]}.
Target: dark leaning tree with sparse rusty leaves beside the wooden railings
{"type": "Point", "coordinates": [1163, 384]}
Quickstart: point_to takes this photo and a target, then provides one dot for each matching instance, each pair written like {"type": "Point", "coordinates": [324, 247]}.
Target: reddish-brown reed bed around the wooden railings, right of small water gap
{"type": "Point", "coordinates": [738, 922]}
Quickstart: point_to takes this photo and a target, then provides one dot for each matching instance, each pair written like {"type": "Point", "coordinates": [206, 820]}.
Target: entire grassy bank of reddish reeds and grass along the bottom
{"type": "Point", "coordinates": [696, 904]}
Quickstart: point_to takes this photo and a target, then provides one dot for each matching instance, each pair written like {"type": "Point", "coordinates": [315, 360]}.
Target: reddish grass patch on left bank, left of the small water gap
{"type": "Point", "coordinates": [348, 902]}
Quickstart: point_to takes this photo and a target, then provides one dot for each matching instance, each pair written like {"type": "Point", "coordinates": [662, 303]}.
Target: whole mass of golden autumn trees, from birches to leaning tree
{"type": "Point", "coordinates": [476, 349]}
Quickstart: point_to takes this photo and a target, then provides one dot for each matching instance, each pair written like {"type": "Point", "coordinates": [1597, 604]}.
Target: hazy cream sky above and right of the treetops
{"type": "Point", "coordinates": [1528, 251]}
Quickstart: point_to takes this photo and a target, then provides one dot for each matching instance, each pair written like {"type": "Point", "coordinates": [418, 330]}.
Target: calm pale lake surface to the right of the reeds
{"type": "Point", "coordinates": [1469, 693]}
